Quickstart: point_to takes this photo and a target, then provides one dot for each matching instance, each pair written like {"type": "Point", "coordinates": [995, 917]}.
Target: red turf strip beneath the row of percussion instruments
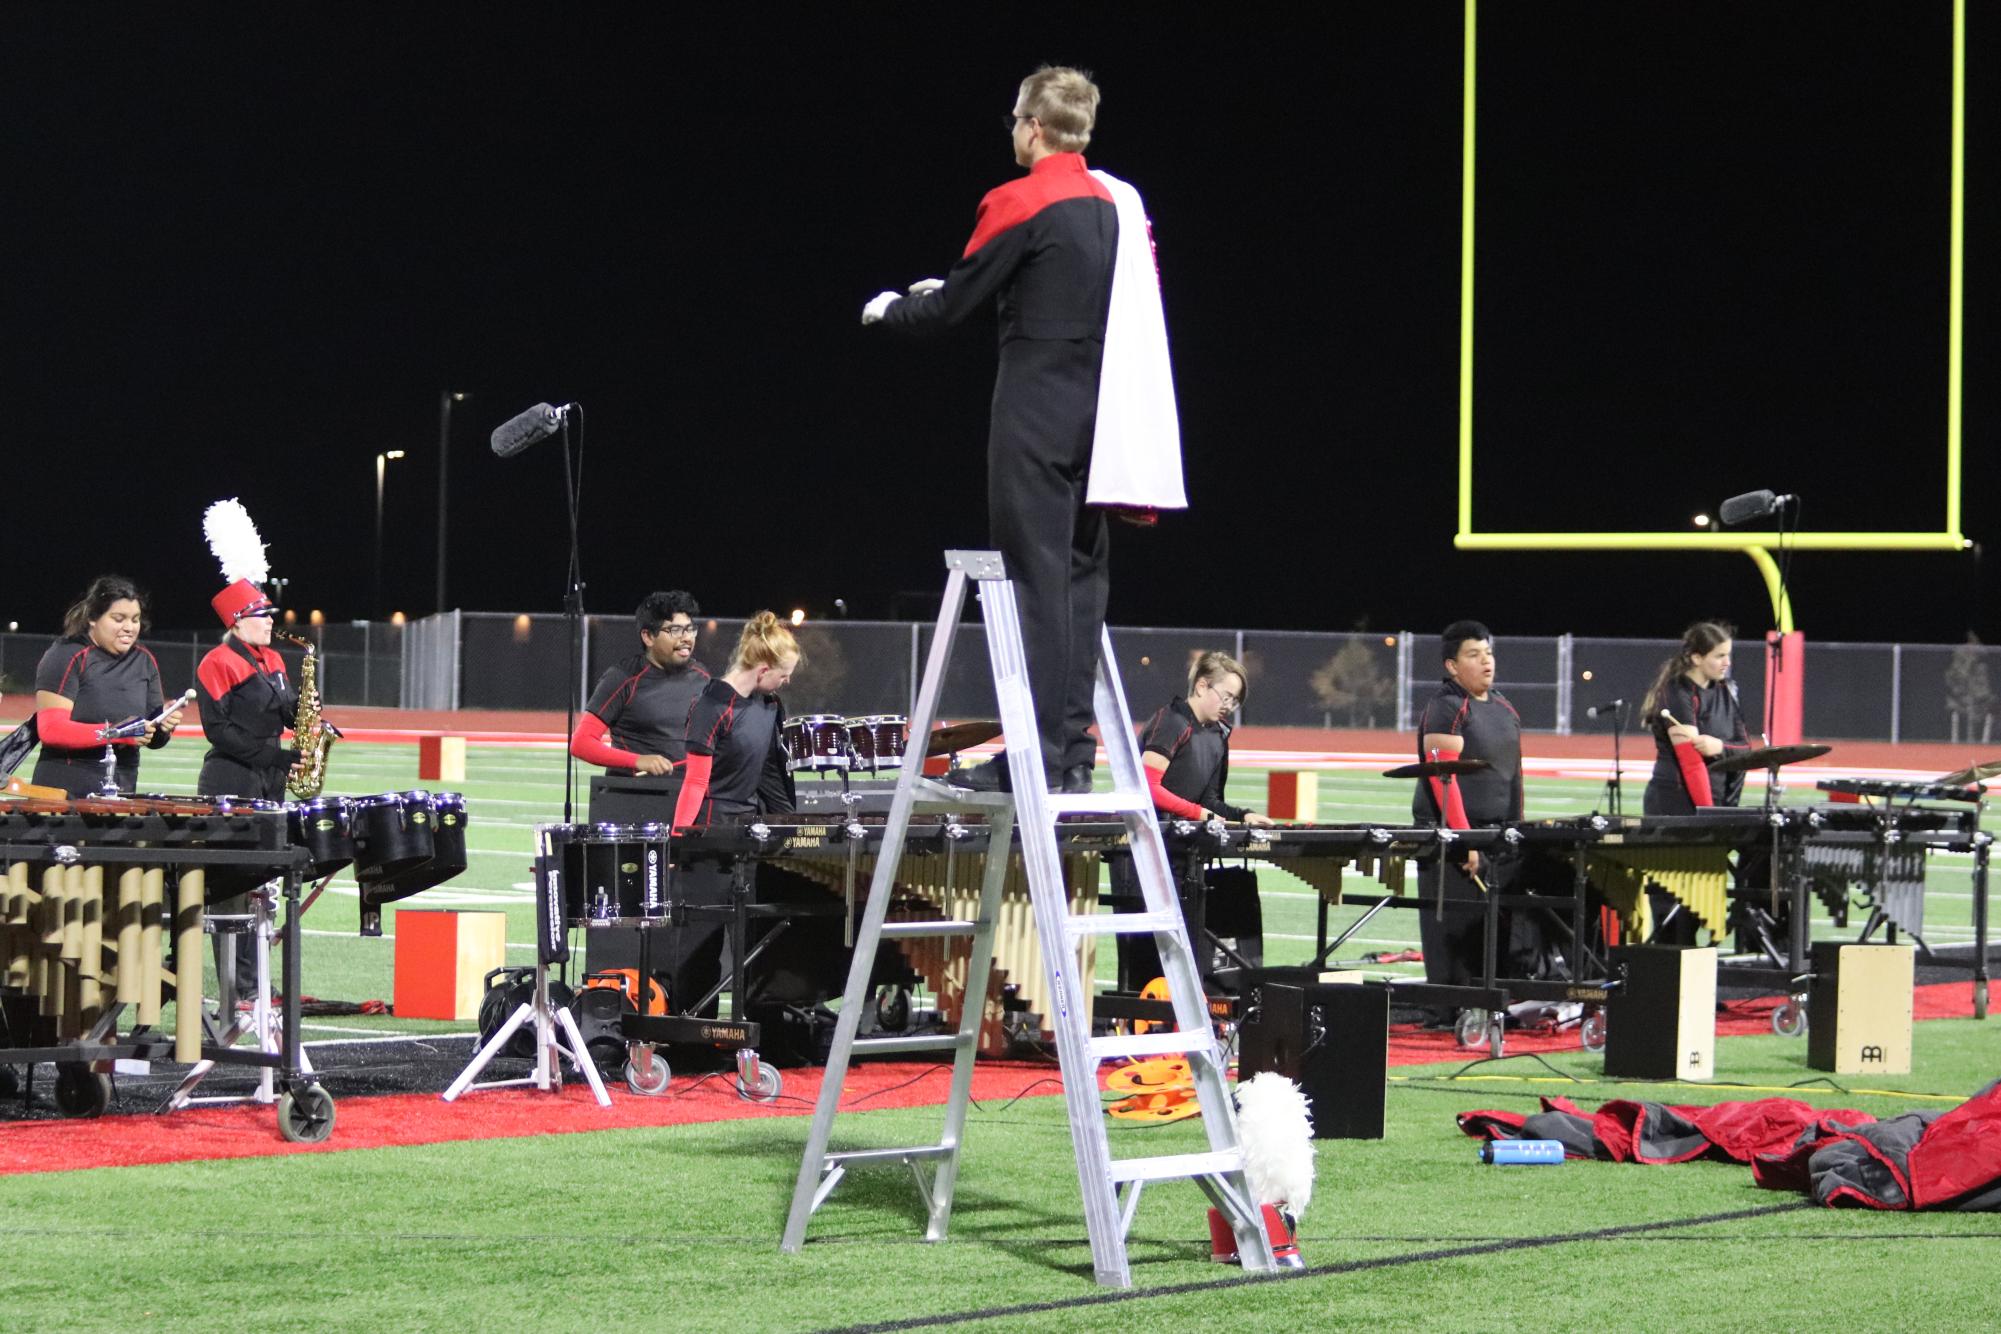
{"type": "Point", "coordinates": [513, 1113]}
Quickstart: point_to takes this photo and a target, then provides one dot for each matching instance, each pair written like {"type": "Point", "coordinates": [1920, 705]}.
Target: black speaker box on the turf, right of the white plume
{"type": "Point", "coordinates": [1332, 1041]}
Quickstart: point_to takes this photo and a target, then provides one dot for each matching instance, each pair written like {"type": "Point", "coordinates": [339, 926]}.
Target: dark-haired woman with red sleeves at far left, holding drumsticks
{"type": "Point", "coordinates": [93, 677]}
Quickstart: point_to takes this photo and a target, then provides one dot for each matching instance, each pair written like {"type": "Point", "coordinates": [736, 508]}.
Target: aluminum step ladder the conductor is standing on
{"type": "Point", "coordinates": [1112, 1185]}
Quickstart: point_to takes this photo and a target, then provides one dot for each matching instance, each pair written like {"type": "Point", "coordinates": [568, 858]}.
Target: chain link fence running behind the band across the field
{"type": "Point", "coordinates": [1914, 693]}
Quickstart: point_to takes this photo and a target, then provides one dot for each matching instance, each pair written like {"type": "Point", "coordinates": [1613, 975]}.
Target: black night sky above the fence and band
{"type": "Point", "coordinates": [249, 249]}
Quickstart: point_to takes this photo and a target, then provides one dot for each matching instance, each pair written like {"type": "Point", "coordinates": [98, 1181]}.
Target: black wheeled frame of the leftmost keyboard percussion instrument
{"type": "Point", "coordinates": [83, 1067]}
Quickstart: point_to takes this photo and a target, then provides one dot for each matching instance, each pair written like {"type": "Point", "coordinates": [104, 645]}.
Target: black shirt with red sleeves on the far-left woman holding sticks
{"type": "Point", "coordinates": [101, 689]}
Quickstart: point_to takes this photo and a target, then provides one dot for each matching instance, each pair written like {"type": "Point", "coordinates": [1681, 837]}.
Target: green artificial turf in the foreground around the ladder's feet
{"type": "Point", "coordinates": [677, 1229]}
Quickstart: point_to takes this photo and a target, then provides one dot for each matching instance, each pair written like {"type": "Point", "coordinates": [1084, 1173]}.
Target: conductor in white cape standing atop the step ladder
{"type": "Point", "coordinates": [1084, 407]}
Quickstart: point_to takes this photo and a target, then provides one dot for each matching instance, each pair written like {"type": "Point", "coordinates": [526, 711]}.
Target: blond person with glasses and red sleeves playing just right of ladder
{"type": "Point", "coordinates": [1188, 759]}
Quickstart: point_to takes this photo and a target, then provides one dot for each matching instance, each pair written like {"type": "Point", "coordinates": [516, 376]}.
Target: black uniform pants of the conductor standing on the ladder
{"type": "Point", "coordinates": [1058, 549]}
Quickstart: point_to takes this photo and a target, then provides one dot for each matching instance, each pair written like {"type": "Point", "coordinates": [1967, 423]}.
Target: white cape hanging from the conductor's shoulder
{"type": "Point", "coordinates": [1136, 457]}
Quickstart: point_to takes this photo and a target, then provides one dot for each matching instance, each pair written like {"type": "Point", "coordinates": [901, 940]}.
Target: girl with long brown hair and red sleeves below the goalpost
{"type": "Point", "coordinates": [1694, 713]}
